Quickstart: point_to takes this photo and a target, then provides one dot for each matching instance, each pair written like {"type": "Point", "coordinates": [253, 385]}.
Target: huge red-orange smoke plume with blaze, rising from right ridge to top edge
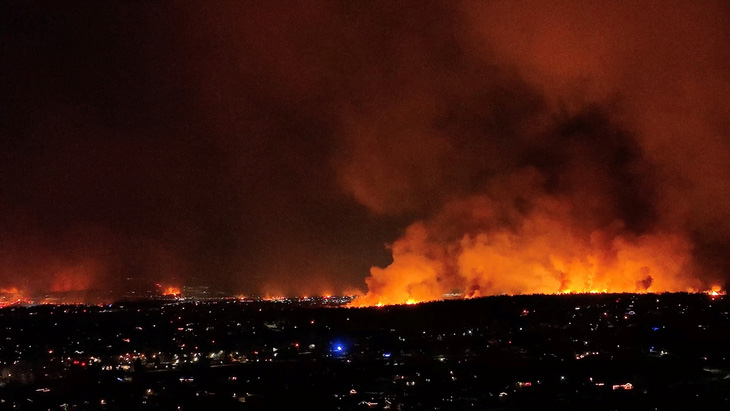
{"type": "Point", "coordinates": [565, 149]}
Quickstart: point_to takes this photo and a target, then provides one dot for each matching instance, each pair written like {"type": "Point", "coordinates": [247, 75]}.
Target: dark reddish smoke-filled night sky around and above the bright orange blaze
{"type": "Point", "coordinates": [261, 147]}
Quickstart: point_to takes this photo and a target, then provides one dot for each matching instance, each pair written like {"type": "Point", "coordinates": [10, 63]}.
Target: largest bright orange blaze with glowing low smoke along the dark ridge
{"type": "Point", "coordinates": [544, 252]}
